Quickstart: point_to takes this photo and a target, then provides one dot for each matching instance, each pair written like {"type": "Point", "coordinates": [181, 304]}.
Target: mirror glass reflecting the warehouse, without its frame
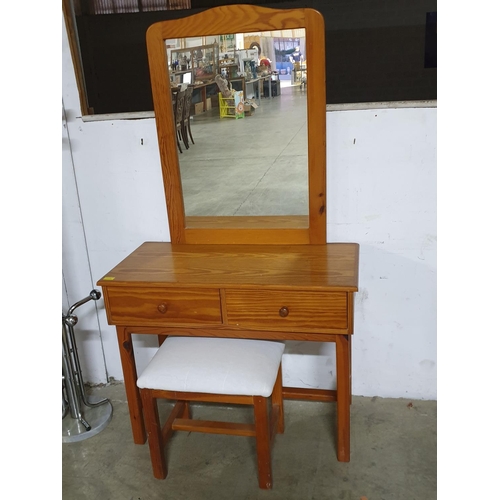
{"type": "Point", "coordinates": [248, 152]}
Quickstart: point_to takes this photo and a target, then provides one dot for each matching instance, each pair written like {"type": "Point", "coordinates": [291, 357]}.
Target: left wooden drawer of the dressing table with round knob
{"type": "Point", "coordinates": [161, 306]}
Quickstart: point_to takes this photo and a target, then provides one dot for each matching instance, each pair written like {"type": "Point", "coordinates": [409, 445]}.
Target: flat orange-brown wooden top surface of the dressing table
{"type": "Point", "coordinates": [331, 267]}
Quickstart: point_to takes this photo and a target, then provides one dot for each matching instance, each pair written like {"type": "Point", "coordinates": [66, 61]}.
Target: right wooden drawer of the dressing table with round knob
{"type": "Point", "coordinates": [274, 310]}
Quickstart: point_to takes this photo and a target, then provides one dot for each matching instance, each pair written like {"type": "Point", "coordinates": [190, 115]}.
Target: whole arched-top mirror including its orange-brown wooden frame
{"type": "Point", "coordinates": [272, 190]}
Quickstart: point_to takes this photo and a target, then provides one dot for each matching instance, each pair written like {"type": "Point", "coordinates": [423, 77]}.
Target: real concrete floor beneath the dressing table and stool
{"type": "Point", "coordinates": [393, 456]}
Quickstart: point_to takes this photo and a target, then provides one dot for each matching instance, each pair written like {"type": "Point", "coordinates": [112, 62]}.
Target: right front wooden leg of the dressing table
{"type": "Point", "coordinates": [343, 355]}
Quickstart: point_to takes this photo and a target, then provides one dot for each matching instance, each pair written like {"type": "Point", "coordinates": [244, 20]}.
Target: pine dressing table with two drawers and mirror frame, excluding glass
{"type": "Point", "coordinates": [260, 277]}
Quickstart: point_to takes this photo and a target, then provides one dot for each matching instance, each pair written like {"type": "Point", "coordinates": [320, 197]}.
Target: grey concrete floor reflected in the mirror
{"type": "Point", "coordinates": [256, 165]}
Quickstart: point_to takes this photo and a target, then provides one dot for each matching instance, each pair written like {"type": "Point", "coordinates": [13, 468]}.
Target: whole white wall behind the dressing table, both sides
{"type": "Point", "coordinates": [381, 194]}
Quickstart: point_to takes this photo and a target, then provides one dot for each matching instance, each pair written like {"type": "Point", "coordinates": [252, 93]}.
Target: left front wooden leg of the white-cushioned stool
{"type": "Point", "coordinates": [153, 431]}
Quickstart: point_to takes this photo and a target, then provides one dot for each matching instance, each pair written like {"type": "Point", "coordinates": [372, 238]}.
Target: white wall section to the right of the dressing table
{"type": "Point", "coordinates": [382, 193]}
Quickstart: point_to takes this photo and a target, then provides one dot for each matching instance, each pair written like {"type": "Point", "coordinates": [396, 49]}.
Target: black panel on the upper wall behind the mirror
{"type": "Point", "coordinates": [376, 50]}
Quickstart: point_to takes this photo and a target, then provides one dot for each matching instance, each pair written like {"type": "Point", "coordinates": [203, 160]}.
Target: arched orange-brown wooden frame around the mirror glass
{"type": "Point", "coordinates": [307, 229]}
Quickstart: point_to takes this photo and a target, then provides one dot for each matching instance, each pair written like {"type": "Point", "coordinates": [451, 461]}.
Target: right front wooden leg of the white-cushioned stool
{"type": "Point", "coordinates": [263, 443]}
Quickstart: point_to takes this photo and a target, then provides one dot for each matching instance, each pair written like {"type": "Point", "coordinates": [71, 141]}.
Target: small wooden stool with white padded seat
{"type": "Point", "coordinates": [215, 370]}
